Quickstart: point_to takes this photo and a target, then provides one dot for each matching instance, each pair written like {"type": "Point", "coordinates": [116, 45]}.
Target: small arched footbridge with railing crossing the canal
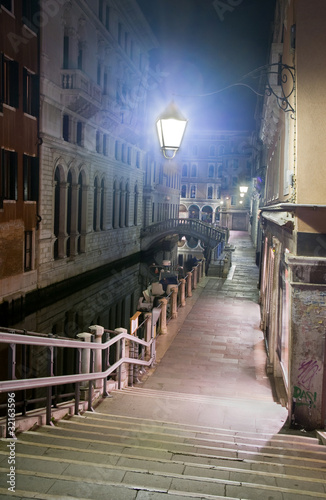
{"type": "Point", "coordinates": [210, 236]}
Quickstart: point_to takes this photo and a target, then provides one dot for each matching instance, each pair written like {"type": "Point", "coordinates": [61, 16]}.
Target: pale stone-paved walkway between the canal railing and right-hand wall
{"type": "Point", "coordinates": [211, 365]}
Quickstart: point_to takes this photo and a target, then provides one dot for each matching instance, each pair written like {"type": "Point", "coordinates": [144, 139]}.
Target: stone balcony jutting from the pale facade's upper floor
{"type": "Point", "coordinates": [79, 93]}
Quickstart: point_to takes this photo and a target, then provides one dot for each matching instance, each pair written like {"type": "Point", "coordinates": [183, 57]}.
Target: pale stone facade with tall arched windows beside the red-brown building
{"type": "Point", "coordinates": [94, 75]}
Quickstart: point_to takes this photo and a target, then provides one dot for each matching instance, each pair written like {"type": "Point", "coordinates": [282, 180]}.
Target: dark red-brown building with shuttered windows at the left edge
{"type": "Point", "coordinates": [19, 155]}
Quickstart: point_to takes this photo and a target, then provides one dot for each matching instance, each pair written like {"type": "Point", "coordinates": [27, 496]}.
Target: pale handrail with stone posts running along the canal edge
{"type": "Point", "coordinates": [35, 361]}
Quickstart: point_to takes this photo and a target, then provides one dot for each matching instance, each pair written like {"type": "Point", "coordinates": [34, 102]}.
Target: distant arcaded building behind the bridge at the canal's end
{"type": "Point", "coordinates": [214, 164]}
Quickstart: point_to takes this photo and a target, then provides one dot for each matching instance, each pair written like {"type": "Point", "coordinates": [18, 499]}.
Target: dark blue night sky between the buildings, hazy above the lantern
{"type": "Point", "coordinates": [206, 45]}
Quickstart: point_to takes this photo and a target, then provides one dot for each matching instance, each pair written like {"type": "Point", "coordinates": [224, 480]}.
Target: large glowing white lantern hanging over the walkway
{"type": "Point", "coordinates": [171, 126]}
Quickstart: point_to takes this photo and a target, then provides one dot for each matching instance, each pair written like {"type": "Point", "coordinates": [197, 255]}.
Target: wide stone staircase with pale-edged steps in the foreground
{"type": "Point", "coordinates": [106, 456]}
